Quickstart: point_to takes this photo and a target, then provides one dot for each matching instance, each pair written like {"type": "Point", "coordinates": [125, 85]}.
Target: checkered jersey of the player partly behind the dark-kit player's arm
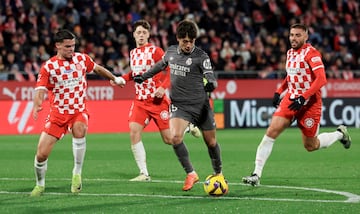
{"type": "Point", "coordinates": [141, 60]}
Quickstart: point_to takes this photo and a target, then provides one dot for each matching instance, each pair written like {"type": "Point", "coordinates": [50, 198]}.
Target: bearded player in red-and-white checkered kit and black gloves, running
{"type": "Point", "coordinates": [302, 102]}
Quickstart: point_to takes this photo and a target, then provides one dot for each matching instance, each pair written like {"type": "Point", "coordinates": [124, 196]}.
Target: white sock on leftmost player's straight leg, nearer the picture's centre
{"type": "Point", "coordinates": [79, 148]}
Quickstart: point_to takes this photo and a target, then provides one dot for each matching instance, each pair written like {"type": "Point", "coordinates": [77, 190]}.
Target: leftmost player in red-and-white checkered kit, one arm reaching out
{"type": "Point", "coordinates": [63, 78]}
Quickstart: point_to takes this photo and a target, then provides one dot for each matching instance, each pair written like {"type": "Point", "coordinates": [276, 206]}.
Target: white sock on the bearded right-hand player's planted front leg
{"type": "Point", "coordinates": [262, 154]}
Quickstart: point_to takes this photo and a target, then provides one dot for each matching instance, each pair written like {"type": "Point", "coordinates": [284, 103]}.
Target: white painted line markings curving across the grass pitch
{"type": "Point", "coordinates": [351, 198]}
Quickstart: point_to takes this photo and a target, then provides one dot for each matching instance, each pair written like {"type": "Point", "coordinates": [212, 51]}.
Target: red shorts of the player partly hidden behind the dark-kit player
{"type": "Point", "coordinates": [142, 111]}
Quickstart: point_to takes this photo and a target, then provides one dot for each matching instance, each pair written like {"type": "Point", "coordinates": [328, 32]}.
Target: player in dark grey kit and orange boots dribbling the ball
{"type": "Point", "coordinates": [189, 100]}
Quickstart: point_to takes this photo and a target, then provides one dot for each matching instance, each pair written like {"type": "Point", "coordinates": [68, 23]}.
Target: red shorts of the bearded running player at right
{"type": "Point", "coordinates": [308, 118]}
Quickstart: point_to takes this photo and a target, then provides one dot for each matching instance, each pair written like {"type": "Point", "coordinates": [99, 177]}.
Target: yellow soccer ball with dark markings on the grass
{"type": "Point", "coordinates": [216, 185]}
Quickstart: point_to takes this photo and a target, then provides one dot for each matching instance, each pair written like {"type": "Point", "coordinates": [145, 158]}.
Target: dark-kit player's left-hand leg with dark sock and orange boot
{"type": "Point", "coordinates": [177, 127]}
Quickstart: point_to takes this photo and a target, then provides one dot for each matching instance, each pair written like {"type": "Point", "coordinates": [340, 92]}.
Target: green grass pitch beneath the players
{"type": "Point", "coordinates": [294, 180]}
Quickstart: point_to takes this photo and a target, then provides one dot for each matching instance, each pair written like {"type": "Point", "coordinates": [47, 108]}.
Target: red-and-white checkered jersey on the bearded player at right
{"type": "Point", "coordinates": [301, 65]}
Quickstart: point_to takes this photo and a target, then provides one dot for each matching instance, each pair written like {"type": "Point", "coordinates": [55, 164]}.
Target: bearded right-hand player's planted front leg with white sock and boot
{"type": "Point", "coordinates": [277, 126]}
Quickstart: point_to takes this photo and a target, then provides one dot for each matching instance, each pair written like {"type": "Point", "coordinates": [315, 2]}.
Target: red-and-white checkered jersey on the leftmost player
{"type": "Point", "coordinates": [66, 83]}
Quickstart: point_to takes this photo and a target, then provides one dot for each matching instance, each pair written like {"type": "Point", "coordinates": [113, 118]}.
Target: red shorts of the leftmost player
{"type": "Point", "coordinates": [57, 124]}
